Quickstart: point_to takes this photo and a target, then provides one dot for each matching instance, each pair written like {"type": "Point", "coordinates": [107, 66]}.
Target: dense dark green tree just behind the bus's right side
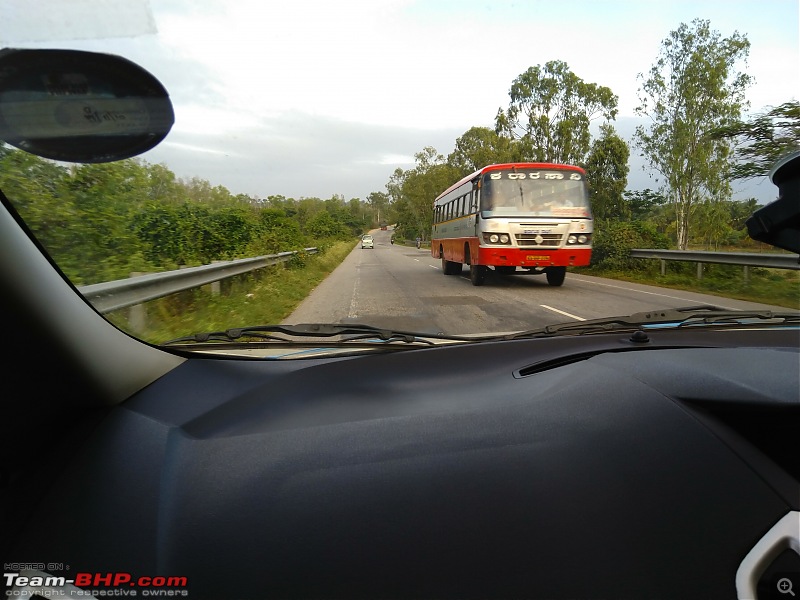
{"type": "Point", "coordinates": [607, 175]}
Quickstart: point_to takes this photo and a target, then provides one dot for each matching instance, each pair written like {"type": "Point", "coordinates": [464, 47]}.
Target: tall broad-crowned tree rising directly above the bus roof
{"type": "Point", "coordinates": [550, 112]}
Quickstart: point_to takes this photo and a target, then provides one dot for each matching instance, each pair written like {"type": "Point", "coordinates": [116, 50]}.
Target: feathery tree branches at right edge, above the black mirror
{"type": "Point", "coordinates": [763, 139]}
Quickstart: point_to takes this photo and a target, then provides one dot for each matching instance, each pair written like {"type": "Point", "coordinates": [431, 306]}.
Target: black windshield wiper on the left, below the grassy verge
{"type": "Point", "coordinates": [347, 334]}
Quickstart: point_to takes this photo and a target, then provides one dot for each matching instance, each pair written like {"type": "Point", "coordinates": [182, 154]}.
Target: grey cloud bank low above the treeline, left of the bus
{"type": "Point", "coordinates": [300, 155]}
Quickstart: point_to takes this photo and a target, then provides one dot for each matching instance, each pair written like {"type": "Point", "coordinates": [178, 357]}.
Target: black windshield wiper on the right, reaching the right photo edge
{"type": "Point", "coordinates": [688, 316]}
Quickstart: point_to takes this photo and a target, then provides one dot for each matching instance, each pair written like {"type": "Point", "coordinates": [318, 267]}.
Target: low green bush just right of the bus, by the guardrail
{"type": "Point", "coordinates": [613, 241]}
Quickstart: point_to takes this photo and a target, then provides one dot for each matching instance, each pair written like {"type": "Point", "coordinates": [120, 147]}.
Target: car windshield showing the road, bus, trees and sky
{"type": "Point", "coordinates": [281, 162]}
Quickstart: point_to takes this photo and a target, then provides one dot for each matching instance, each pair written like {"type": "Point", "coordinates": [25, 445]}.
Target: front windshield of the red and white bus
{"type": "Point", "coordinates": [538, 193]}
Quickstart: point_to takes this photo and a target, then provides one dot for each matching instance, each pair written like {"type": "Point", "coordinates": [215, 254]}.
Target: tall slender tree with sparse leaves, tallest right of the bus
{"type": "Point", "coordinates": [693, 89]}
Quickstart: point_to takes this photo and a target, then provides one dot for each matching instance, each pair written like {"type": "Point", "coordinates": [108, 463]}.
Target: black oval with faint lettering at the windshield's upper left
{"type": "Point", "coordinates": [78, 106]}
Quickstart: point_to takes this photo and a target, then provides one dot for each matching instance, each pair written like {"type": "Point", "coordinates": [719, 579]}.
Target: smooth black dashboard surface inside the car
{"type": "Point", "coordinates": [436, 474]}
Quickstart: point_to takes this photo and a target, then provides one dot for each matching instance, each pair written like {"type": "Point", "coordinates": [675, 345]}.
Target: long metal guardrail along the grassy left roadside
{"type": "Point", "coordinates": [113, 295]}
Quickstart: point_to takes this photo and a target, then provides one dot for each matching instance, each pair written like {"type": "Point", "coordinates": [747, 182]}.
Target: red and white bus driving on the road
{"type": "Point", "coordinates": [524, 218]}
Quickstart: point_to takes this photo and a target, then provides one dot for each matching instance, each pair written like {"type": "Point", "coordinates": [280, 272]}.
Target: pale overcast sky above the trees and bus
{"type": "Point", "coordinates": [315, 98]}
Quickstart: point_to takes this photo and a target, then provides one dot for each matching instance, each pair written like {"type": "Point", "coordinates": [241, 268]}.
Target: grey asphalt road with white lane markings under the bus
{"type": "Point", "coordinates": [400, 287]}
